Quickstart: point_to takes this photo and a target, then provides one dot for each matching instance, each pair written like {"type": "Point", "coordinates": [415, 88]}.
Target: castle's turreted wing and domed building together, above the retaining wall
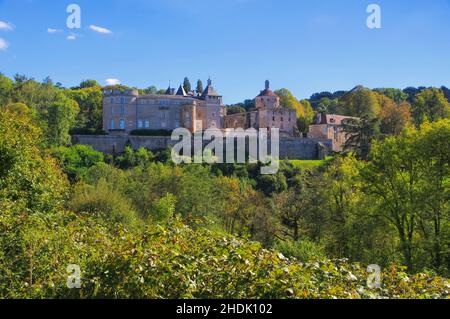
{"type": "Point", "coordinates": [127, 111]}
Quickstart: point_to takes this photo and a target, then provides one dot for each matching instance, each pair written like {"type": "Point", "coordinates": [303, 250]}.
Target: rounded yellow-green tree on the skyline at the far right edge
{"type": "Point", "coordinates": [431, 105]}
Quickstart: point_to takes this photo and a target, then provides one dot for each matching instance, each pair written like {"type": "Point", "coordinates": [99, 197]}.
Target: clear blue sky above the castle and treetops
{"type": "Point", "coordinates": [306, 46]}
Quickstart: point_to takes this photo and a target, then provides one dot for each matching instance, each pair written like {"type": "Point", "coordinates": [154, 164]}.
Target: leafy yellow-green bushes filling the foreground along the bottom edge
{"type": "Point", "coordinates": [174, 262]}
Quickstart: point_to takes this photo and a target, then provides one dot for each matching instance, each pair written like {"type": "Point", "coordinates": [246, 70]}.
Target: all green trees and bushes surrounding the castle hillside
{"type": "Point", "coordinates": [139, 226]}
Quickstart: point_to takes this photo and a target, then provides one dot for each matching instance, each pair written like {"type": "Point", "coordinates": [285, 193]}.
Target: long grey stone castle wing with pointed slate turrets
{"type": "Point", "coordinates": [126, 111]}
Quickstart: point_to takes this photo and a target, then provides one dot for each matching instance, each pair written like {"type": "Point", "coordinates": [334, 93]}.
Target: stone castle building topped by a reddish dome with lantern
{"type": "Point", "coordinates": [267, 114]}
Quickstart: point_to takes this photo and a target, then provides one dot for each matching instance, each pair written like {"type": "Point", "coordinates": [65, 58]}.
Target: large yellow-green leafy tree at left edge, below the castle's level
{"type": "Point", "coordinates": [29, 178]}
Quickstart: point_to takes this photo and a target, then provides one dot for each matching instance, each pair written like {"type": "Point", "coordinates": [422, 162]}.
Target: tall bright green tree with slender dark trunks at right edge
{"type": "Point", "coordinates": [407, 179]}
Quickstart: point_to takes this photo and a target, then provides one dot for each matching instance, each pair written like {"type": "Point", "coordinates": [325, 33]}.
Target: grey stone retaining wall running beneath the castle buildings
{"type": "Point", "coordinates": [290, 148]}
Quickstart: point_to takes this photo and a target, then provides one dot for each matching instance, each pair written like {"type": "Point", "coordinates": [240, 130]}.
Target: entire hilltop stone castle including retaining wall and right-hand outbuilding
{"type": "Point", "coordinates": [125, 111]}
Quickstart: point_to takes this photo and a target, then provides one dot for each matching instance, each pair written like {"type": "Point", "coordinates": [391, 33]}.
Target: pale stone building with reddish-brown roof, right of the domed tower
{"type": "Point", "coordinates": [330, 127]}
